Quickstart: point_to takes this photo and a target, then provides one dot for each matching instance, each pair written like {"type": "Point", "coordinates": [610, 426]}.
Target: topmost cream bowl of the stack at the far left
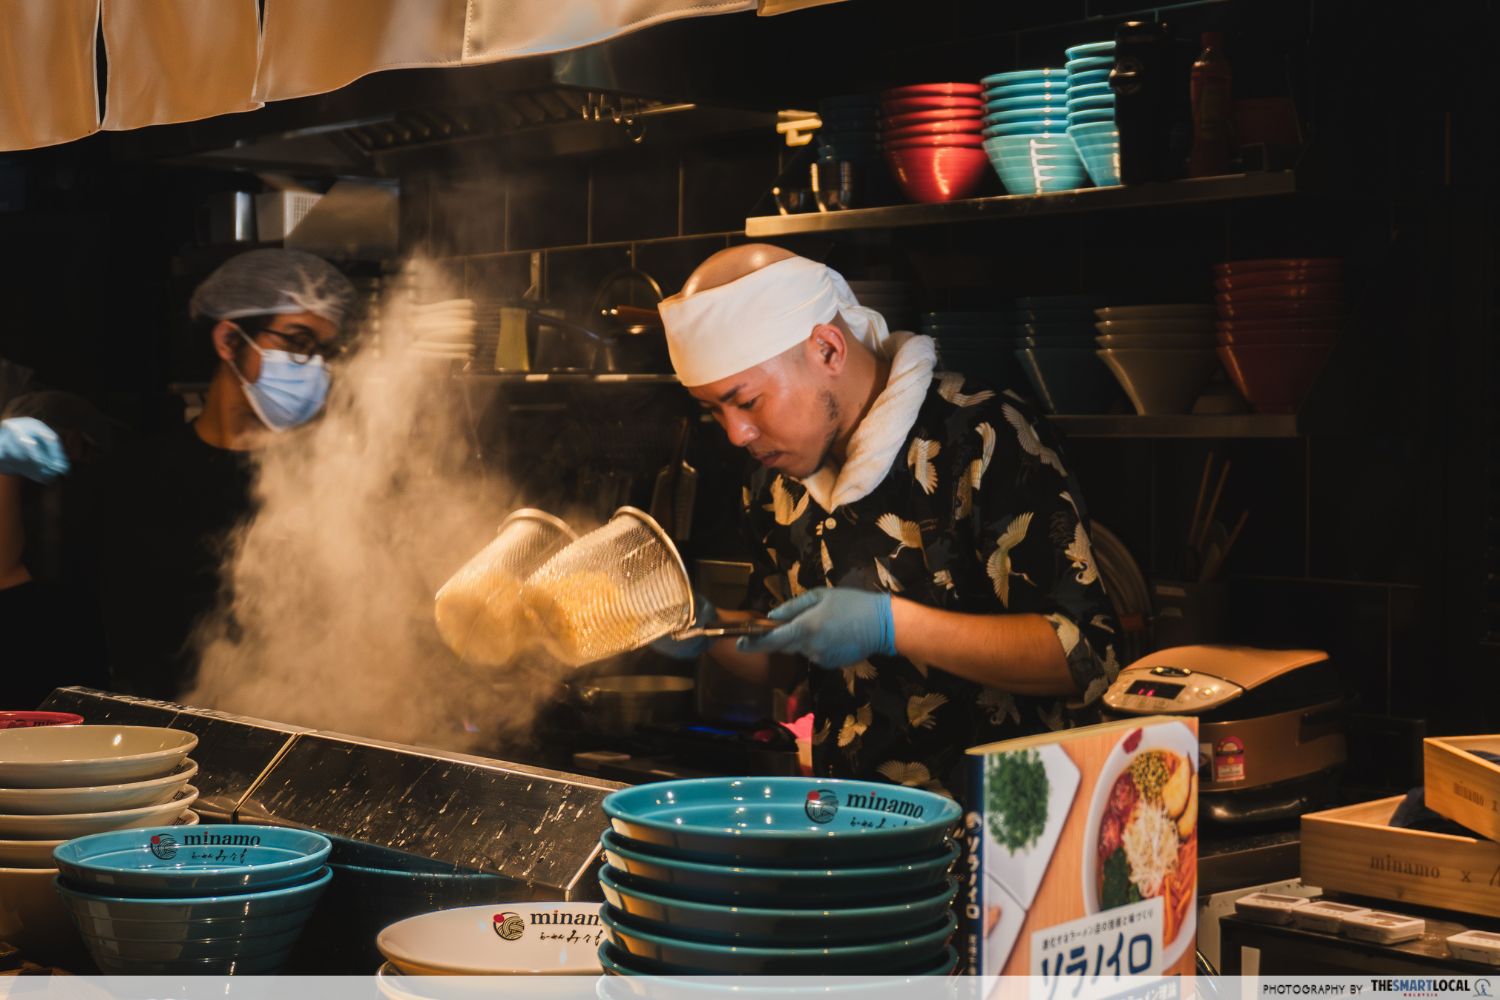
{"type": "Point", "coordinates": [79, 756]}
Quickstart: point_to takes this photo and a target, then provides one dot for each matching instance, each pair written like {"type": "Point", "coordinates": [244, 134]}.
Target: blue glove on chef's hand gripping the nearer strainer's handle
{"type": "Point", "coordinates": [833, 627]}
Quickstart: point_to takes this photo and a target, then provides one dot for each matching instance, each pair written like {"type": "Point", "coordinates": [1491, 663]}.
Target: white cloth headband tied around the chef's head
{"type": "Point", "coordinates": [725, 331]}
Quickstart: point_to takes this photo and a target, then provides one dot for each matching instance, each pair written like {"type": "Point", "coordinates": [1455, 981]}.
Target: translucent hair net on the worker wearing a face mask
{"type": "Point", "coordinates": [274, 283]}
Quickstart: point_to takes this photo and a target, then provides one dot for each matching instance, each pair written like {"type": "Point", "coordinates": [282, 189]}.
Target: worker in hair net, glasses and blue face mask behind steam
{"type": "Point", "coordinates": [164, 510]}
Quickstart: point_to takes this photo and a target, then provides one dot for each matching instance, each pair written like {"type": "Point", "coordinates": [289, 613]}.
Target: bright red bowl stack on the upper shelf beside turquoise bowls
{"type": "Point", "coordinates": [931, 136]}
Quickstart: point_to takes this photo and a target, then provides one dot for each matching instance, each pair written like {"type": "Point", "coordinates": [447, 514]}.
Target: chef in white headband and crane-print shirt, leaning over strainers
{"type": "Point", "coordinates": [919, 536]}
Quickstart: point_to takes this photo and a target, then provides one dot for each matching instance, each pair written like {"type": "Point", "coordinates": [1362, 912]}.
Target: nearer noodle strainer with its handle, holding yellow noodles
{"type": "Point", "coordinates": [616, 590]}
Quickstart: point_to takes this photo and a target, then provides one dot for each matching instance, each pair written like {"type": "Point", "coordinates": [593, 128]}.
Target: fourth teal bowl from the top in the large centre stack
{"type": "Point", "coordinates": [902, 950]}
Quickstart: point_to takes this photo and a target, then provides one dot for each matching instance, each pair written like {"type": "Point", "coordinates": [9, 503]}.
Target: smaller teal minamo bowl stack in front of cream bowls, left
{"type": "Point", "coordinates": [214, 902]}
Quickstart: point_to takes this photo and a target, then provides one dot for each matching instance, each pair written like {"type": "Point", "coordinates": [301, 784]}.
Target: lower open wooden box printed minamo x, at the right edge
{"type": "Point", "coordinates": [1354, 849]}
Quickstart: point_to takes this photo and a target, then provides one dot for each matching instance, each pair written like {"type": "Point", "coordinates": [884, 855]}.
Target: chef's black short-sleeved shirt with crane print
{"type": "Point", "coordinates": [979, 515]}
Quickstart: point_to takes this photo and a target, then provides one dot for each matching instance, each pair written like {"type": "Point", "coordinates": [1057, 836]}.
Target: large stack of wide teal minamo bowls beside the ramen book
{"type": "Point", "coordinates": [779, 876]}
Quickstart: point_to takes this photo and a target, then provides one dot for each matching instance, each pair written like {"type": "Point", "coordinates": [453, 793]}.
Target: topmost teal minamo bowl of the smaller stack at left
{"type": "Point", "coordinates": [191, 861]}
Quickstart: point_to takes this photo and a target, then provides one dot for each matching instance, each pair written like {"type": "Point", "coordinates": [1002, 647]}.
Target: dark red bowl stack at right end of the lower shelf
{"type": "Point", "coordinates": [1279, 322]}
